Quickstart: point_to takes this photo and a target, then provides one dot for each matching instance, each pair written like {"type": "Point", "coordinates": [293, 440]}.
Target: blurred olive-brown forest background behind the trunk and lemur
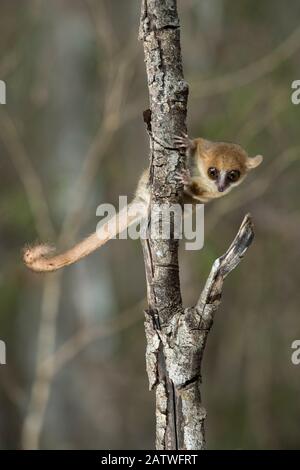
{"type": "Point", "coordinates": [71, 137]}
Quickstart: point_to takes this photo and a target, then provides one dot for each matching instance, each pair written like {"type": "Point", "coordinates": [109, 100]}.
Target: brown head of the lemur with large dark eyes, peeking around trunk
{"type": "Point", "coordinates": [225, 165]}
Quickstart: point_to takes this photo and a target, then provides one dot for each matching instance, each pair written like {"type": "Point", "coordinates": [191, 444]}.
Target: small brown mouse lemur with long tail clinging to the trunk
{"type": "Point", "coordinates": [213, 169]}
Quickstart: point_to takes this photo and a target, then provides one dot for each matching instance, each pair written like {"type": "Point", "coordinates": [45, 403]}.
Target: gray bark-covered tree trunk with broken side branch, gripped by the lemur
{"type": "Point", "coordinates": [176, 338]}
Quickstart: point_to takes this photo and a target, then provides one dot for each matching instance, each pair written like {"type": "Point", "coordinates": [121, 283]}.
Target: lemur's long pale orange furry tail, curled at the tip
{"type": "Point", "coordinates": [39, 258]}
